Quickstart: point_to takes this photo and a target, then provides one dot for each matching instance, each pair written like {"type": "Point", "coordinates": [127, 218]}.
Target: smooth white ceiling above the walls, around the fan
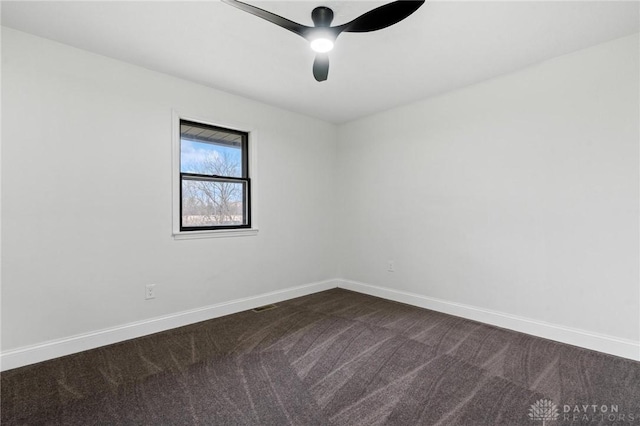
{"type": "Point", "coordinates": [443, 46]}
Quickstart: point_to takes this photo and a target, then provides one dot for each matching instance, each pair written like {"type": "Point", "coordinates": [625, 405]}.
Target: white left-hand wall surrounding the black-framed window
{"type": "Point", "coordinates": [86, 196]}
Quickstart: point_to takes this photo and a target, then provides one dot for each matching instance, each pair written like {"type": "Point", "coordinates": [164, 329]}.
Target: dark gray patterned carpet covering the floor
{"type": "Point", "coordinates": [332, 358]}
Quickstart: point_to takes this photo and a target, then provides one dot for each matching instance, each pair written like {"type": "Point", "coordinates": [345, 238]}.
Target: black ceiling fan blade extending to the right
{"type": "Point", "coordinates": [382, 17]}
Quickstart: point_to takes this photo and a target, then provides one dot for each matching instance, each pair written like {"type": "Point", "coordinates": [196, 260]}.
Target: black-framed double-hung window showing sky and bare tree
{"type": "Point", "coordinates": [215, 189]}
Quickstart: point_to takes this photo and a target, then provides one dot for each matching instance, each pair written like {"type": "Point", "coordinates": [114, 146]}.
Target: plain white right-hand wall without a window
{"type": "Point", "coordinates": [518, 195]}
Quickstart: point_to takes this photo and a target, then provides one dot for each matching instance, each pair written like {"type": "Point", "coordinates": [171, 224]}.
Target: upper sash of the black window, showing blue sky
{"type": "Point", "coordinates": [210, 151]}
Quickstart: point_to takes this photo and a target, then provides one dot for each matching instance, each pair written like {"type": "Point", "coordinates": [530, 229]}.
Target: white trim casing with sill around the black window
{"type": "Point", "coordinates": [175, 173]}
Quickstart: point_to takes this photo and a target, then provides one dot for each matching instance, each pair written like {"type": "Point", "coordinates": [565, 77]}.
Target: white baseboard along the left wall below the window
{"type": "Point", "coordinates": [56, 348]}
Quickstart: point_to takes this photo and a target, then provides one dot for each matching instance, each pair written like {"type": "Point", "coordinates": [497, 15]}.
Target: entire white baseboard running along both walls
{"type": "Point", "coordinates": [56, 348]}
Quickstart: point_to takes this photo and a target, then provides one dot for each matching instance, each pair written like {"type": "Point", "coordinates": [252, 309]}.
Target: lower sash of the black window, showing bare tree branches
{"type": "Point", "coordinates": [213, 203]}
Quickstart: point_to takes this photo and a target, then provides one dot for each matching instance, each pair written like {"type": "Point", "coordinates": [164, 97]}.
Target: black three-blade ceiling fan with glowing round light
{"type": "Point", "coordinates": [322, 36]}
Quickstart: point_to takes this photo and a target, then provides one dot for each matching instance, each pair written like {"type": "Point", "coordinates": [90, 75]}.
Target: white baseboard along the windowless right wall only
{"type": "Point", "coordinates": [599, 342]}
